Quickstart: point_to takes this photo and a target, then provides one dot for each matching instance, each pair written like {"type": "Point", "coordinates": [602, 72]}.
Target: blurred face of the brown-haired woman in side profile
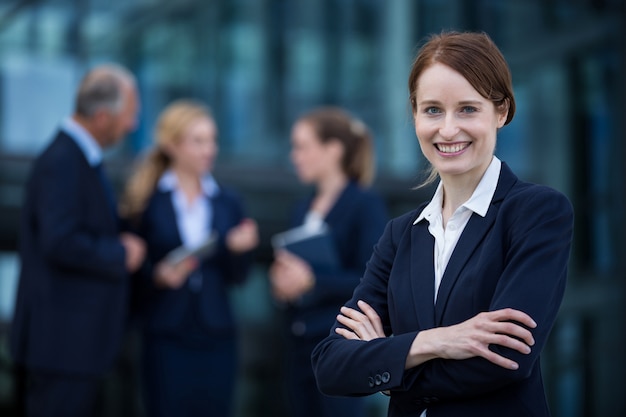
{"type": "Point", "coordinates": [311, 158]}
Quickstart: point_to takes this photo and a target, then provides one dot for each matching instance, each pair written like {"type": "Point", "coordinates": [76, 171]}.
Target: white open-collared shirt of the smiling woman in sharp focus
{"type": "Point", "coordinates": [446, 239]}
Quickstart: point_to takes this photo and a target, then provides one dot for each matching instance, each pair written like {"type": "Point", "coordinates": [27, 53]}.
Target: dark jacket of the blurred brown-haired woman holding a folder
{"type": "Point", "coordinates": [356, 221]}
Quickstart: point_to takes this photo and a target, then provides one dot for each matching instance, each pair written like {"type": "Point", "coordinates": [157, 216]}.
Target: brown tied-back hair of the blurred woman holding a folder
{"type": "Point", "coordinates": [333, 123]}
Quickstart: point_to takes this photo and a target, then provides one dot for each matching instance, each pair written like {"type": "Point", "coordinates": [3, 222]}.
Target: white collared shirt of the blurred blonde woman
{"type": "Point", "coordinates": [194, 219]}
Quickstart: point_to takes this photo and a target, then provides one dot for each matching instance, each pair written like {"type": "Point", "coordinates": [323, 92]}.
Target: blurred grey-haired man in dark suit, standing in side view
{"type": "Point", "coordinates": [72, 299]}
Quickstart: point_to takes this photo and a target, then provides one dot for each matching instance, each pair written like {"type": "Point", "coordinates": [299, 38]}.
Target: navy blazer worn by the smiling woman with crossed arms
{"type": "Point", "coordinates": [517, 256]}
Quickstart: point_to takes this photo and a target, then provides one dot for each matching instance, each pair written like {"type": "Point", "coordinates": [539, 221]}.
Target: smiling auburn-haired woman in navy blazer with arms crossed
{"type": "Point", "coordinates": [469, 284]}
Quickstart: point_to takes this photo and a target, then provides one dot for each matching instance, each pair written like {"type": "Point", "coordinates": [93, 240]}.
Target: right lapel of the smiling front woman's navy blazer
{"type": "Point", "coordinates": [474, 232]}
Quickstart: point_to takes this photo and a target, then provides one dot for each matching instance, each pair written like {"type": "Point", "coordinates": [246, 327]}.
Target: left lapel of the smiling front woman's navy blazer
{"type": "Point", "coordinates": [422, 274]}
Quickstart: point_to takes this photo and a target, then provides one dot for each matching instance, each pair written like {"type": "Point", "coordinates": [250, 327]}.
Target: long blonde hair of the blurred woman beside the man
{"type": "Point", "coordinates": [170, 126]}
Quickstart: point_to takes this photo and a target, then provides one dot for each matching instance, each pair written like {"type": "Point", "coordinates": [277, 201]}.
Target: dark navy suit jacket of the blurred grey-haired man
{"type": "Point", "coordinates": [71, 303]}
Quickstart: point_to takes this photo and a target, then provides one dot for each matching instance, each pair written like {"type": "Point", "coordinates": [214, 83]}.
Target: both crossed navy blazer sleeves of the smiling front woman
{"type": "Point", "coordinates": [536, 229]}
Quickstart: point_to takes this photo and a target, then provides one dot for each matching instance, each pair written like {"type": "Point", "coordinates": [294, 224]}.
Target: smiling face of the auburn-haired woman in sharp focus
{"type": "Point", "coordinates": [455, 125]}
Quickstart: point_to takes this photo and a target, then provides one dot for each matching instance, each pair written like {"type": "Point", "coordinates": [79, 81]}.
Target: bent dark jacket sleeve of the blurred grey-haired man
{"type": "Point", "coordinates": [74, 236]}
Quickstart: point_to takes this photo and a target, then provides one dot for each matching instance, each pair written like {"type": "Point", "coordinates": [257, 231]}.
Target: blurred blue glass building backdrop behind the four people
{"type": "Point", "coordinates": [260, 63]}
